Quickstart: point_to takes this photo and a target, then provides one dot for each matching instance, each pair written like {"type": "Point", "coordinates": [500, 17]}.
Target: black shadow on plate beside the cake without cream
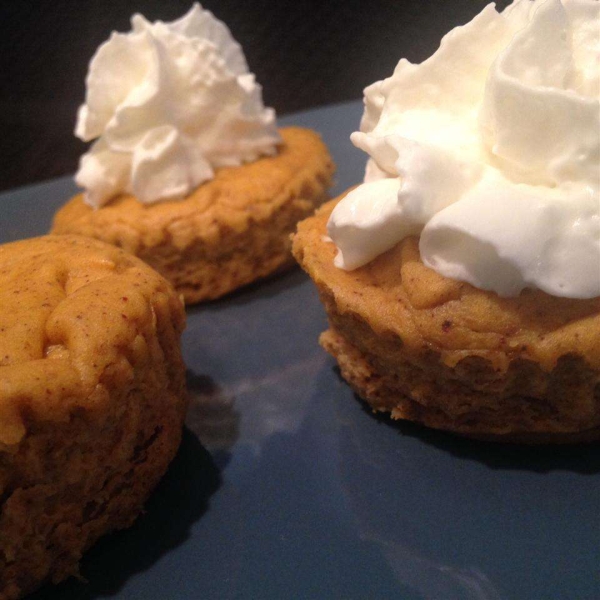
{"type": "Point", "coordinates": [180, 499]}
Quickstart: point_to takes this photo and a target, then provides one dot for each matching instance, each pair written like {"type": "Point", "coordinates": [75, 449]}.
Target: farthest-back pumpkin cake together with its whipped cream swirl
{"type": "Point", "coordinates": [189, 171]}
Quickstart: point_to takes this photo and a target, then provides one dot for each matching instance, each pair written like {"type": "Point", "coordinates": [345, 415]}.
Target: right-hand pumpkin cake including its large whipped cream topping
{"type": "Point", "coordinates": [462, 278]}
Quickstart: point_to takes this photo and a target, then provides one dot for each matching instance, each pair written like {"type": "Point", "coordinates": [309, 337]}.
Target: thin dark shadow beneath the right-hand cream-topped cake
{"type": "Point", "coordinates": [542, 458]}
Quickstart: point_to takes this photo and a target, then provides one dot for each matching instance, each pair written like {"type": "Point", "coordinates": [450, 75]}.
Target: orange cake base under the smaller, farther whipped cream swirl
{"type": "Point", "coordinates": [231, 231]}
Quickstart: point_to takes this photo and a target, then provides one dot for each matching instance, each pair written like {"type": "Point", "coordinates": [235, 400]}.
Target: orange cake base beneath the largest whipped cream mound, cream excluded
{"type": "Point", "coordinates": [445, 354]}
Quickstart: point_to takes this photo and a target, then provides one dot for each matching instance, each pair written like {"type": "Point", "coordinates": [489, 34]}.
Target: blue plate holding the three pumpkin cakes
{"type": "Point", "coordinates": [287, 486]}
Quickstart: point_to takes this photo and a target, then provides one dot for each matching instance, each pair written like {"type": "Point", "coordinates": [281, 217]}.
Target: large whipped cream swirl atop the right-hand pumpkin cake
{"type": "Point", "coordinates": [490, 151]}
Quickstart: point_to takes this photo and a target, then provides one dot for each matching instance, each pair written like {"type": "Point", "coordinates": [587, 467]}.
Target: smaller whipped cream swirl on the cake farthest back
{"type": "Point", "coordinates": [167, 104]}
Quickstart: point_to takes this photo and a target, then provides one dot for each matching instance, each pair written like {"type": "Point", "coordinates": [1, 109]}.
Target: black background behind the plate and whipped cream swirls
{"type": "Point", "coordinates": [304, 54]}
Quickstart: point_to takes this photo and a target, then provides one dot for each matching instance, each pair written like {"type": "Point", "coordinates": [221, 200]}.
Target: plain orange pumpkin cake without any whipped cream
{"type": "Point", "coordinates": [92, 400]}
